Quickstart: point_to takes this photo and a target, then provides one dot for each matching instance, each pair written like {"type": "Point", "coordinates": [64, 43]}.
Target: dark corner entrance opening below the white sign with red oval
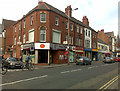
{"type": "Point", "coordinates": [43, 56]}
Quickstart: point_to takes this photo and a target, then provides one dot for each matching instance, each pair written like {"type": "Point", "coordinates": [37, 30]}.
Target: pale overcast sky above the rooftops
{"type": "Point", "coordinates": [102, 14]}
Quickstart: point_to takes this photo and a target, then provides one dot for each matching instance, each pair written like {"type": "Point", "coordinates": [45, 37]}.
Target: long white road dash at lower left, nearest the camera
{"type": "Point", "coordinates": [23, 80]}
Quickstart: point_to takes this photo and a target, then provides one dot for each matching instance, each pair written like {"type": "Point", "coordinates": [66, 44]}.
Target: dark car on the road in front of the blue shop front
{"type": "Point", "coordinates": [83, 60]}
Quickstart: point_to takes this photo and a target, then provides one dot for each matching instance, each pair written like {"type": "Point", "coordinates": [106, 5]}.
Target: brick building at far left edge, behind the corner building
{"type": "Point", "coordinates": [7, 35]}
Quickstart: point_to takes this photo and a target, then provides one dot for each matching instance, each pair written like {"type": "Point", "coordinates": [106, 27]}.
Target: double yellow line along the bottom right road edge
{"type": "Point", "coordinates": [108, 84]}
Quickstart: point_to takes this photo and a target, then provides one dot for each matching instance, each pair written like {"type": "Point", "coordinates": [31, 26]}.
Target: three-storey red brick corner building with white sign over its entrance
{"type": "Point", "coordinates": [43, 33]}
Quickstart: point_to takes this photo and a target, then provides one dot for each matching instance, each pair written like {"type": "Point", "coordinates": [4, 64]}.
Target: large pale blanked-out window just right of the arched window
{"type": "Point", "coordinates": [56, 36]}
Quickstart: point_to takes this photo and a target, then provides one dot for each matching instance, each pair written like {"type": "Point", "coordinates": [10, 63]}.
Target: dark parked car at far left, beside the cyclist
{"type": "Point", "coordinates": [13, 62]}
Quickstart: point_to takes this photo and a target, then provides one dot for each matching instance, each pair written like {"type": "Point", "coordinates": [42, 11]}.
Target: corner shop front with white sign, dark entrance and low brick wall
{"type": "Point", "coordinates": [50, 53]}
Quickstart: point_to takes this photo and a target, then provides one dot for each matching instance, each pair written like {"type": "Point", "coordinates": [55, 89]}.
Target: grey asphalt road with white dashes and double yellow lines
{"type": "Point", "coordinates": [95, 76]}
